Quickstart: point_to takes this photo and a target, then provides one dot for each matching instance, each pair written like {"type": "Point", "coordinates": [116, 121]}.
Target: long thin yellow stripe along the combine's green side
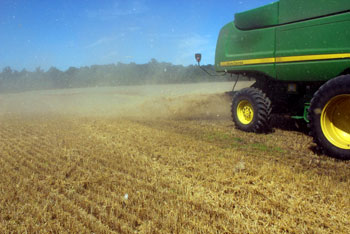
{"type": "Point", "coordinates": [285, 59]}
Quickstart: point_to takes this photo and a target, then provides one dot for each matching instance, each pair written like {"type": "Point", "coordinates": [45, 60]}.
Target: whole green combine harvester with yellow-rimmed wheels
{"type": "Point", "coordinates": [299, 54]}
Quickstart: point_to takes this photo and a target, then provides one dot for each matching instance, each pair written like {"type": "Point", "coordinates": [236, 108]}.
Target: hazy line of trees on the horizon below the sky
{"type": "Point", "coordinates": [153, 72]}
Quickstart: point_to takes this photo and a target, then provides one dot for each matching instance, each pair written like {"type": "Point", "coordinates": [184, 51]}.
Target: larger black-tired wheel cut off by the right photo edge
{"type": "Point", "coordinates": [329, 116]}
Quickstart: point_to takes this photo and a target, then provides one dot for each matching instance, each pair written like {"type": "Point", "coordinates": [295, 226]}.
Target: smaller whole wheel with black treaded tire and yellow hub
{"type": "Point", "coordinates": [251, 110]}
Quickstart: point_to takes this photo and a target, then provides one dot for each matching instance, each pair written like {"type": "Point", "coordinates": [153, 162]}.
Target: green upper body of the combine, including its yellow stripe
{"type": "Point", "coordinates": [289, 40]}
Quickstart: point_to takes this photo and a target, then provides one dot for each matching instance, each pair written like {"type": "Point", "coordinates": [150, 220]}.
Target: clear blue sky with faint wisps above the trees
{"type": "Point", "coordinates": [79, 33]}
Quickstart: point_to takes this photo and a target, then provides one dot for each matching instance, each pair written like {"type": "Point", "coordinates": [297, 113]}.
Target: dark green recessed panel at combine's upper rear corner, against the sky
{"type": "Point", "coordinates": [257, 18]}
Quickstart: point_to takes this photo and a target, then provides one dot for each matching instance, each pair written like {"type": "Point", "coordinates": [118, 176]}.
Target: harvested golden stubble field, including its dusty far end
{"type": "Point", "coordinates": [159, 159]}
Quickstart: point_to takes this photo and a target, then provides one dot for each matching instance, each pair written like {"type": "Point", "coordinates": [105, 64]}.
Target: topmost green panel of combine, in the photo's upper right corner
{"type": "Point", "coordinates": [296, 10]}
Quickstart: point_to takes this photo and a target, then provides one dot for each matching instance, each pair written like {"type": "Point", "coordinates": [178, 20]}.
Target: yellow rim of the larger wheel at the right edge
{"type": "Point", "coordinates": [335, 121]}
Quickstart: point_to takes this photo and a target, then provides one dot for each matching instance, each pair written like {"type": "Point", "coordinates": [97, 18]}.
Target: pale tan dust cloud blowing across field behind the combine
{"type": "Point", "coordinates": [181, 101]}
